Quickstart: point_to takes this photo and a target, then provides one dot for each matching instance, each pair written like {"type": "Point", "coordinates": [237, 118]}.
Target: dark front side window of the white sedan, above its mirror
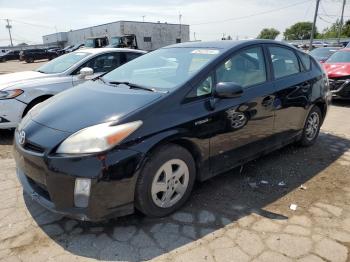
{"type": "Point", "coordinates": [103, 63]}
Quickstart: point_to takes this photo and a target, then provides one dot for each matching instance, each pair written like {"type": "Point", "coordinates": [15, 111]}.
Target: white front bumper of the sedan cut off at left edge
{"type": "Point", "coordinates": [11, 111]}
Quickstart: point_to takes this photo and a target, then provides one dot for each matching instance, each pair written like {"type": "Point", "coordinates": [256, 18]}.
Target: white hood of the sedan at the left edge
{"type": "Point", "coordinates": [12, 79]}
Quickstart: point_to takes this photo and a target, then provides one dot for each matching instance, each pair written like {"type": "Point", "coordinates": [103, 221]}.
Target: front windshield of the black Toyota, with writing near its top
{"type": "Point", "coordinates": [164, 68]}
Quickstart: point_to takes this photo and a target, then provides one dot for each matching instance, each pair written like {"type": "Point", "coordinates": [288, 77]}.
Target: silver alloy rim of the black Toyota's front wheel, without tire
{"type": "Point", "coordinates": [170, 183]}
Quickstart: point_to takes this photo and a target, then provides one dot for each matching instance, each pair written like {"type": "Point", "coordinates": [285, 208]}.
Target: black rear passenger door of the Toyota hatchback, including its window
{"type": "Point", "coordinates": [293, 89]}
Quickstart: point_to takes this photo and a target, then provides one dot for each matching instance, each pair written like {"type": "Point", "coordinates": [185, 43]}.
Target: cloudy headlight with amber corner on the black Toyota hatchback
{"type": "Point", "coordinates": [97, 138]}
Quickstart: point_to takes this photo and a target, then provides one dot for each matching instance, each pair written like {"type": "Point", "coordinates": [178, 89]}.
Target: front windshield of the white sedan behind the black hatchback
{"type": "Point", "coordinates": [62, 63]}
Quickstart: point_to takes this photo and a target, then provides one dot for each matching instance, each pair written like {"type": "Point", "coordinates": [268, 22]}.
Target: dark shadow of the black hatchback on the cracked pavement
{"type": "Point", "coordinates": [214, 204]}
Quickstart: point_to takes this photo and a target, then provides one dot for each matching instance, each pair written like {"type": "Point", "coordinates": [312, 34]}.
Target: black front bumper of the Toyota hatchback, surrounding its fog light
{"type": "Point", "coordinates": [50, 181]}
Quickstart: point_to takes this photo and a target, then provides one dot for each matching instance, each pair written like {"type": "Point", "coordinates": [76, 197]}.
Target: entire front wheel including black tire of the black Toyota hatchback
{"type": "Point", "coordinates": [173, 188]}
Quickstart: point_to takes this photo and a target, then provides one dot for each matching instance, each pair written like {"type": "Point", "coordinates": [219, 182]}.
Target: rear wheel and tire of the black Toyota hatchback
{"type": "Point", "coordinates": [312, 127]}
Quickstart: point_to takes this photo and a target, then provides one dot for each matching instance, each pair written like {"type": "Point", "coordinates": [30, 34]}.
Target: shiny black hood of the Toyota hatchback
{"type": "Point", "coordinates": [90, 104]}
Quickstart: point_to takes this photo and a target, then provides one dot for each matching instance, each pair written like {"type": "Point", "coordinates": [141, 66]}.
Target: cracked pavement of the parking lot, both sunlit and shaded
{"type": "Point", "coordinates": [242, 215]}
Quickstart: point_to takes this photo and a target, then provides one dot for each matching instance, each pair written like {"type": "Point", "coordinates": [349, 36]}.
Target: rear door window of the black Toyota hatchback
{"type": "Point", "coordinates": [284, 62]}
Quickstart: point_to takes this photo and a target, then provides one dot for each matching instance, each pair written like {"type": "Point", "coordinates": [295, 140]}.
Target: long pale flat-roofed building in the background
{"type": "Point", "coordinates": [149, 36]}
